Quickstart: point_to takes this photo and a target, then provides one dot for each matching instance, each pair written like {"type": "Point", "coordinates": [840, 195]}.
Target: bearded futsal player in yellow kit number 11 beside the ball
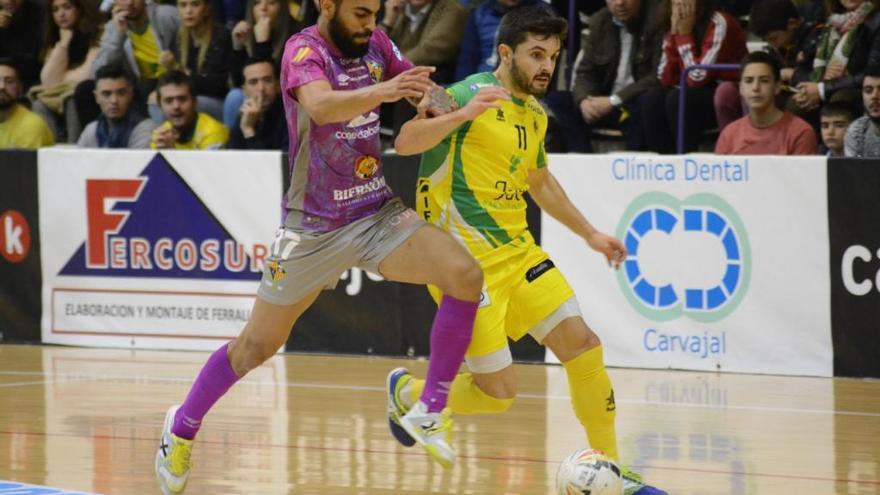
{"type": "Point", "coordinates": [477, 164]}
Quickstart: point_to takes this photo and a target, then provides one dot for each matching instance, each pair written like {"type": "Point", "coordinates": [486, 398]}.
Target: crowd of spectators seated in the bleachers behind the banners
{"type": "Point", "coordinates": [203, 74]}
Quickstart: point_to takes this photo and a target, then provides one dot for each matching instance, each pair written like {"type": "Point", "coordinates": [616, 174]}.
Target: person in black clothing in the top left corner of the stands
{"type": "Point", "coordinates": [21, 37]}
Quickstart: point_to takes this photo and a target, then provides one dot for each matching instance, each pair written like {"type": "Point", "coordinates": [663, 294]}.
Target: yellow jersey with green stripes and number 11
{"type": "Point", "coordinates": [472, 183]}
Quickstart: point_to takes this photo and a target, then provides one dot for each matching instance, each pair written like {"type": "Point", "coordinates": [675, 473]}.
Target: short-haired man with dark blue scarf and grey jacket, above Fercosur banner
{"type": "Point", "coordinates": [120, 124]}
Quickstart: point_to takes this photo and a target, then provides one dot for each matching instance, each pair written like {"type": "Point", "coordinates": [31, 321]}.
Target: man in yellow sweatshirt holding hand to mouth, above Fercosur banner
{"type": "Point", "coordinates": [185, 129]}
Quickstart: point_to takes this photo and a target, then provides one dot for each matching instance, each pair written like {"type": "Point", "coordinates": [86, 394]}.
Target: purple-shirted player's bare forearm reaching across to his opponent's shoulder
{"type": "Point", "coordinates": [326, 105]}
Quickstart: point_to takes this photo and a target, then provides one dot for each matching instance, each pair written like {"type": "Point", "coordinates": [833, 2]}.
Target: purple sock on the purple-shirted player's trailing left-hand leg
{"type": "Point", "coordinates": [213, 381]}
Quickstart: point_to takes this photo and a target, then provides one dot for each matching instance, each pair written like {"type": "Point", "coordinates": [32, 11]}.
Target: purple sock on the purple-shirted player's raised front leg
{"type": "Point", "coordinates": [450, 335]}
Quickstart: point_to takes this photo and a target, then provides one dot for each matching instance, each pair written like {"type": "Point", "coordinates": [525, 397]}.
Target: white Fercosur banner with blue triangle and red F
{"type": "Point", "coordinates": [153, 250]}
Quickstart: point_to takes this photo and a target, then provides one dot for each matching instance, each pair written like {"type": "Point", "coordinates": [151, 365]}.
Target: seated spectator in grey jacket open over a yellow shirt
{"type": "Point", "coordinates": [137, 36]}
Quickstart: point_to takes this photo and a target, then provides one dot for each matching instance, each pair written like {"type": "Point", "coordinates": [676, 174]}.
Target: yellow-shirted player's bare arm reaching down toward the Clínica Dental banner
{"type": "Point", "coordinates": [551, 198]}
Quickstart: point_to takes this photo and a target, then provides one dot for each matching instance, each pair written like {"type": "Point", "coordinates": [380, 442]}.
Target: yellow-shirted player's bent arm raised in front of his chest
{"type": "Point", "coordinates": [422, 133]}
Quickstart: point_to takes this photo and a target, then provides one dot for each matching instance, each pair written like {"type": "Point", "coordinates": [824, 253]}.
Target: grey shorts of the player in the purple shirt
{"type": "Point", "coordinates": [301, 262]}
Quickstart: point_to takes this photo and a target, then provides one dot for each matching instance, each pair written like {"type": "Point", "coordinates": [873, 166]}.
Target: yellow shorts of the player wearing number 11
{"type": "Point", "coordinates": [522, 287]}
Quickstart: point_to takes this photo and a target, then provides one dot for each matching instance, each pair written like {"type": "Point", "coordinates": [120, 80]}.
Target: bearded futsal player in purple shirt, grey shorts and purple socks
{"type": "Point", "coordinates": [340, 214]}
